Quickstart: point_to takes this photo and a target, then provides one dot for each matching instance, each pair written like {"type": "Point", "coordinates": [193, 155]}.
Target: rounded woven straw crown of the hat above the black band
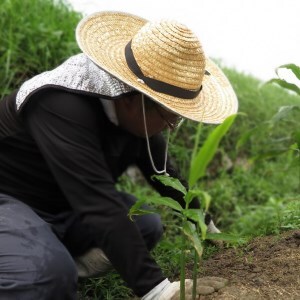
{"type": "Point", "coordinates": [169, 52]}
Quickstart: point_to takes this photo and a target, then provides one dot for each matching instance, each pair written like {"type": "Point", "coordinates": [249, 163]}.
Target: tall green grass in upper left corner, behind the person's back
{"type": "Point", "coordinates": [36, 35]}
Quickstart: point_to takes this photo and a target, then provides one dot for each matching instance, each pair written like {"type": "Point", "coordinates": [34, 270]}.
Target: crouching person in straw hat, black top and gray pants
{"type": "Point", "coordinates": [66, 135]}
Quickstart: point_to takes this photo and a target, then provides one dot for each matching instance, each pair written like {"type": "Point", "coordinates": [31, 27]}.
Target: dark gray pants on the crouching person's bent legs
{"type": "Point", "coordinates": [34, 264]}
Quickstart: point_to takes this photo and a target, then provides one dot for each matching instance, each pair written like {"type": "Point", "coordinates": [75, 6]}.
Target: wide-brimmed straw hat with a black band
{"type": "Point", "coordinates": [163, 60]}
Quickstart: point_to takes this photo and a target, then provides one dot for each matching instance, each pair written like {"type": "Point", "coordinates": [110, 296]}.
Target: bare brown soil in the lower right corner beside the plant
{"type": "Point", "coordinates": [267, 268]}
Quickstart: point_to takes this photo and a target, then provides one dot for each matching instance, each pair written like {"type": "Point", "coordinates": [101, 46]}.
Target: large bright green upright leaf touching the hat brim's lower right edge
{"type": "Point", "coordinates": [208, 150]}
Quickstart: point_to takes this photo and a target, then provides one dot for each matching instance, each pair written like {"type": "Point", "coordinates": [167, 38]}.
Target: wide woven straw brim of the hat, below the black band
{"type": "Point", "coordinates": [103, 36]}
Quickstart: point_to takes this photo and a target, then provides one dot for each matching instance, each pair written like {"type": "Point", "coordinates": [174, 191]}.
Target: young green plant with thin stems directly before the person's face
{"type": "Point", "coordinates": [192, 220]}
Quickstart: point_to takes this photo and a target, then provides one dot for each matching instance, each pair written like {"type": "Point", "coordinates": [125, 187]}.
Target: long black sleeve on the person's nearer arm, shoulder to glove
{"type": "Point", "coordinates": [68, 130]}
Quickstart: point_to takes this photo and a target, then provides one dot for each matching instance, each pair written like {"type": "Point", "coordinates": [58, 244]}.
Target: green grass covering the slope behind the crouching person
{"type": "Point", "coordinates": [249, 197]}
